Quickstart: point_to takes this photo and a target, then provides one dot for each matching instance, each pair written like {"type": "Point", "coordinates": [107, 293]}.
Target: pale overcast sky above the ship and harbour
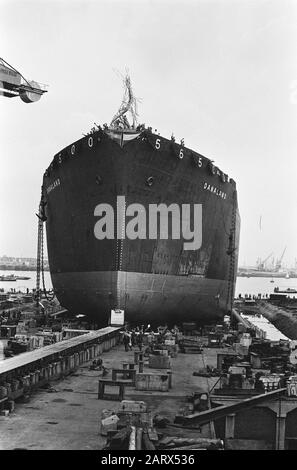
{"type": "Point", "coordinates": [220, 74]}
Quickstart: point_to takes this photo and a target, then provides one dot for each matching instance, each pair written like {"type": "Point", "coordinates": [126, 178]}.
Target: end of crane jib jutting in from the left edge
{"type": "Point", "coordinates": [13, 83]}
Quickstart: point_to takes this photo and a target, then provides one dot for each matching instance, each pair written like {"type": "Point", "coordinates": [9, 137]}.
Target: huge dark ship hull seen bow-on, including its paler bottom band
{"type": "Point", "coordinates": [153, 280]}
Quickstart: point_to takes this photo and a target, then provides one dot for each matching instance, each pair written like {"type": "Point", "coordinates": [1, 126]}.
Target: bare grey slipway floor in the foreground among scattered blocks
{"type": "Point", "coordinates": [66, 416]}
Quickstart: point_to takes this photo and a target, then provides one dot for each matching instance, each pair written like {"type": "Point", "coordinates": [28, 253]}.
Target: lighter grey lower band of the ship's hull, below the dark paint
{"type": "Point", "coordinates": [145, 297]}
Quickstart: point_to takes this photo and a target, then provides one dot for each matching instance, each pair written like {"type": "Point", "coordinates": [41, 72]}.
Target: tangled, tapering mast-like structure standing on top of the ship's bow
{"type": "Point", "coordinates": [129, 104]}
